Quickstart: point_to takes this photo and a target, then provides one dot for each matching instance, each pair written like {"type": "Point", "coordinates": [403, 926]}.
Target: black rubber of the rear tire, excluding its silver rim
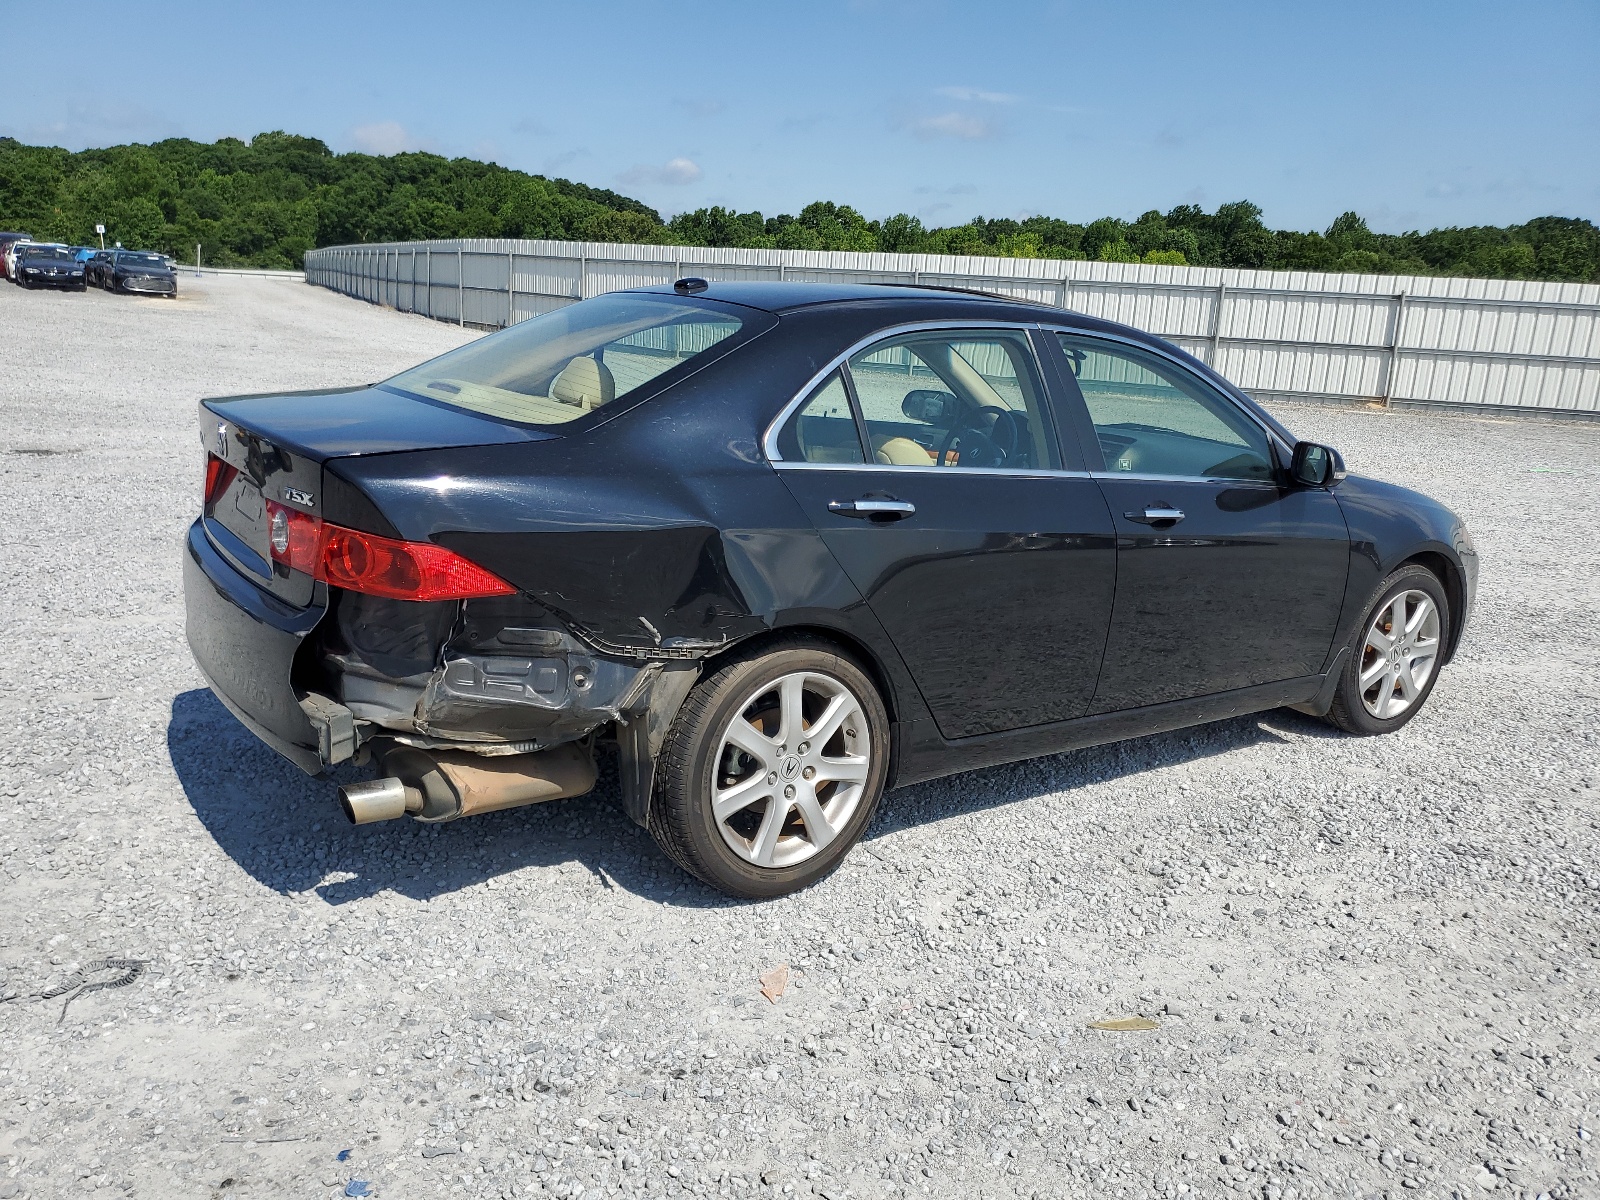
{"type": "Point", "coordinates": [713, 858]}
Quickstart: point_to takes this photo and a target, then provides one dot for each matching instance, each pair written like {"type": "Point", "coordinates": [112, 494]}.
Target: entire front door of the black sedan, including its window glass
{"type": "Point", "coordinates": [1226, 578]}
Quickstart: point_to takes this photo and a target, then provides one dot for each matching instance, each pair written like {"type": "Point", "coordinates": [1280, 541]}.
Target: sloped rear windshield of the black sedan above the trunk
{"type": "Point", "coordinates": [570, 362]}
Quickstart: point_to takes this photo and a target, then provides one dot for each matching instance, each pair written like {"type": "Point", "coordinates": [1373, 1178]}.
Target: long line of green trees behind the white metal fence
{"type": "Point", "coordinates": [266, 202]}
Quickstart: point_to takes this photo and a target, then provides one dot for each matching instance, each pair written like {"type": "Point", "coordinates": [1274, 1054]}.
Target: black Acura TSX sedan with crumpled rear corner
{"type": "Point", "coordinates": [783, 546]}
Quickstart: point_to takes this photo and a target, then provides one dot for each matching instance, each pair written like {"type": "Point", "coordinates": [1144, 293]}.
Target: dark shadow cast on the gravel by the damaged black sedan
{"type": "Point", "coordinates": [287, 831]}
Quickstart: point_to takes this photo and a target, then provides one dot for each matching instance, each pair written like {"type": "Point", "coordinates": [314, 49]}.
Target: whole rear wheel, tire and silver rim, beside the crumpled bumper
{"type": "Point", "coordinates": [772, 770]}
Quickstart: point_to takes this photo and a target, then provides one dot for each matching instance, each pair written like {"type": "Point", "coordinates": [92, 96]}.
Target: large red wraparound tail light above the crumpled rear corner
{"type": "Point", "coordinates": [364, 562]}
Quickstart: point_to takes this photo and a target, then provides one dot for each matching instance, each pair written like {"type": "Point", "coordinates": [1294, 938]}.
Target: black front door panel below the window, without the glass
{"type": "Point", "coordinates": [1246, 590]}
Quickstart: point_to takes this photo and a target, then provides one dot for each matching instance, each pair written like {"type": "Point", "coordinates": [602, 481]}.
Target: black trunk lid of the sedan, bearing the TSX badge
{"type": "Point", "coordinates": [276, 446]}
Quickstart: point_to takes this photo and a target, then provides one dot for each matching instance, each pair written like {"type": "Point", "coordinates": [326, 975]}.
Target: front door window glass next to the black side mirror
{"type": "Point", "coordinates": [1154, 418]}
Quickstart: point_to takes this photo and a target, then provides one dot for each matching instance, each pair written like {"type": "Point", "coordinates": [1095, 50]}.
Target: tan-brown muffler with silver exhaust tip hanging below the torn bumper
{"type": "Point", "coordinates": [447, 785]}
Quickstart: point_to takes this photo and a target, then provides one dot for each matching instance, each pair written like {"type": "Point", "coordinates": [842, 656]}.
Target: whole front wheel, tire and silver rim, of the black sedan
{"type": "Point", "coordinates": [1394, 657]}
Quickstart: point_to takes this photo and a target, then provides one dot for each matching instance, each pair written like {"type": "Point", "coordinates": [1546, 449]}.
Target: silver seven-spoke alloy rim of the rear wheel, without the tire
{"type": "Point", "coordinates": [791, 770]}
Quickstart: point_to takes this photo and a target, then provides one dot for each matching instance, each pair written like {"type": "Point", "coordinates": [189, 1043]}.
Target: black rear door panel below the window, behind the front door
{"type": "Point", "coordinates": [996, 590]}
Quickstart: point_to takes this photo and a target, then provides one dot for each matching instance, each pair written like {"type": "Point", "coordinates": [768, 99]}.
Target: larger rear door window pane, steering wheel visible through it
{"type": "Point", "coordinates": [956, 399]}
